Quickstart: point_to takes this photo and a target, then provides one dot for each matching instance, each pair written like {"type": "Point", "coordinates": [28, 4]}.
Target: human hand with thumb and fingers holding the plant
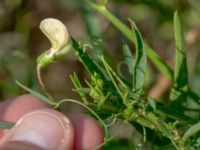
{"type": "Point", "coordinates": [39, 127]}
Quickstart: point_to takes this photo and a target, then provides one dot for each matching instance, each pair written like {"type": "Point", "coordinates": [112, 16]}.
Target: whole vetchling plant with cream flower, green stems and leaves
{"type": "Point", "coordinates": [110, 96]}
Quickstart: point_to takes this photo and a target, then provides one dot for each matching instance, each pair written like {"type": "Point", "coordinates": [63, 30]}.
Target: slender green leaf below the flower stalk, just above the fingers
{"type": "Point", "coordinates": [36, 94]}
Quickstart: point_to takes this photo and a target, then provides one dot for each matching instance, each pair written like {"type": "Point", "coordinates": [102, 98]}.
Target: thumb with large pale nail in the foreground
{"type": "Point", "coordinates": [43, 129]}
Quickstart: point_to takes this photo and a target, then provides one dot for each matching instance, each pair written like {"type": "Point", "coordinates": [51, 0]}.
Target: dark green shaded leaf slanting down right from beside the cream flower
{"type": "Point", "coordinates": [89, 64]}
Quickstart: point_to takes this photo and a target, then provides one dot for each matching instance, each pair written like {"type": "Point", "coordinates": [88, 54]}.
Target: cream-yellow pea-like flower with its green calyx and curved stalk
{"type": "Point", "coordinates": [58, 35]}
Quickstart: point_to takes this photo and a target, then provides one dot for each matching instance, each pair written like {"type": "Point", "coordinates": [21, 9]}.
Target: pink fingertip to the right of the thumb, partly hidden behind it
{"type": "Point", "coordinates": [88, 133]}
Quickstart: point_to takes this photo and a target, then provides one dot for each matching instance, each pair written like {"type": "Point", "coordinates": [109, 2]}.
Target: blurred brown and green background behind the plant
{"type": "Point", "coordinates": [21, 41]}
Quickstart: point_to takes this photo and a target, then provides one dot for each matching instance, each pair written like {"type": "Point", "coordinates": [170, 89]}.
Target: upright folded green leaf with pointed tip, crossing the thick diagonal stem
{"type": "Point", "coordinates": [140, 64]}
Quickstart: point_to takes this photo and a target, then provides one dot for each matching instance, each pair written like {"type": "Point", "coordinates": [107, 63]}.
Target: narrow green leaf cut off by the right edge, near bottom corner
{"type": "Point", "coordinates": [190, 132]}
